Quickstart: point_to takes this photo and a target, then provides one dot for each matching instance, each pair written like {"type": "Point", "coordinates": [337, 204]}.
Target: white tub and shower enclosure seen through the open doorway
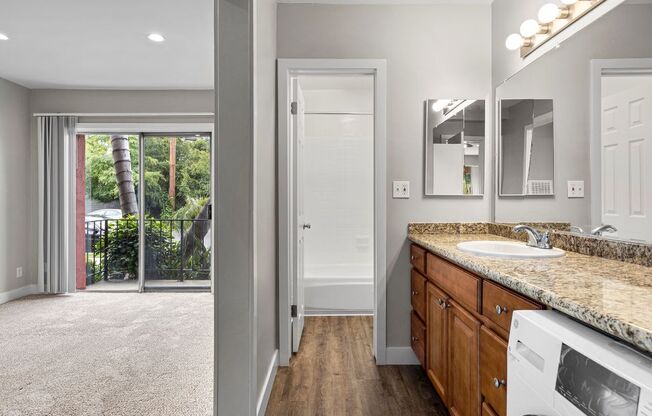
{"type": "Point", "coordinates": [338, 197]}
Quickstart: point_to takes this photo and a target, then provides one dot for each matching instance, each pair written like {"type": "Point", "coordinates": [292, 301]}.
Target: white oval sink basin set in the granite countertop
{"type": "Point", "coordinates": [508, 250]}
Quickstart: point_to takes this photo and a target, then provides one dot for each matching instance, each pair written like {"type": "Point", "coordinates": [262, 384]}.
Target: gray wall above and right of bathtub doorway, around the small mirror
{"type": "Point", "coordinates": [432, 52]}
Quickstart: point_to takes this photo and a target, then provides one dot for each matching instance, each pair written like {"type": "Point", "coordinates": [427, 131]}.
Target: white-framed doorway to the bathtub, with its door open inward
{"type": "Point", "coordinates": [331, 195]}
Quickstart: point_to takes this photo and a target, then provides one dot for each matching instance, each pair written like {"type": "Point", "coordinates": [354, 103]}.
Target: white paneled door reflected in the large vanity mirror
{"type": "Point", "coordinates": [627, 161]}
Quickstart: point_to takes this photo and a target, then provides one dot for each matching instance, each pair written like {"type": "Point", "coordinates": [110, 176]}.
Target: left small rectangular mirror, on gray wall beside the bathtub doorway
{"type": "Point", "coordinates": [455, 147]}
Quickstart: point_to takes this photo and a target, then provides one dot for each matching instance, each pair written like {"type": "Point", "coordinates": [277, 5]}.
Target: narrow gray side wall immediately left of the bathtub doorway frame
{"type": "Point", "coordinates": [265, 188]}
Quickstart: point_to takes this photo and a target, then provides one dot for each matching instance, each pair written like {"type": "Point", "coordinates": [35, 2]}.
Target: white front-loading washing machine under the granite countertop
{"type": "Point", "coordinates": [559, 367]}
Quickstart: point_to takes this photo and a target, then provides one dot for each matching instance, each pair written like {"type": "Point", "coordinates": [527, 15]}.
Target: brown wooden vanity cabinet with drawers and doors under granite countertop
{"type": "Point", "coordinates": [465, 321]}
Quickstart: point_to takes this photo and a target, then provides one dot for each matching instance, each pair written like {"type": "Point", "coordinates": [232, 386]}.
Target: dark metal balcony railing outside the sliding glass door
{"type": "Point", "coordinates": [175, 249]}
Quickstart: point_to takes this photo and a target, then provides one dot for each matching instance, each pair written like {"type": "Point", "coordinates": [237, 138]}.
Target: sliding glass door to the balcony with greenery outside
{"type": "Point", "coordinates": [146, 210]}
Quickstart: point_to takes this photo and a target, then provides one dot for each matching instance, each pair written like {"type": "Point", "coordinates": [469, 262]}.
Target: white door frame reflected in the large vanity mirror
{"type": "Point", "coordinates": [600, 67]}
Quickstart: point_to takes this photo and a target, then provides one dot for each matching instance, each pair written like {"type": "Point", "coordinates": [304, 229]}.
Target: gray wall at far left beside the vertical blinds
{"type": "Point", "coordinates": [17, 228]}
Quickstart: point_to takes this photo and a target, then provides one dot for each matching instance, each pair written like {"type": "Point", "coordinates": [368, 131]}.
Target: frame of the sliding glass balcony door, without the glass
{"type": "Point", "coordinates": [142, 129]}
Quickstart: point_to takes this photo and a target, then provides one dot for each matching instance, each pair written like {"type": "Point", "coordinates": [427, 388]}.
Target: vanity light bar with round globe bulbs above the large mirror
{"type": "Point", "coordinates": [551, 20]}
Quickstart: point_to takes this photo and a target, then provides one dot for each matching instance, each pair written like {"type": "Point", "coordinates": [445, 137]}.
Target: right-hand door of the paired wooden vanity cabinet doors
{"type": "Point", "coordinates": [464, 377]}
